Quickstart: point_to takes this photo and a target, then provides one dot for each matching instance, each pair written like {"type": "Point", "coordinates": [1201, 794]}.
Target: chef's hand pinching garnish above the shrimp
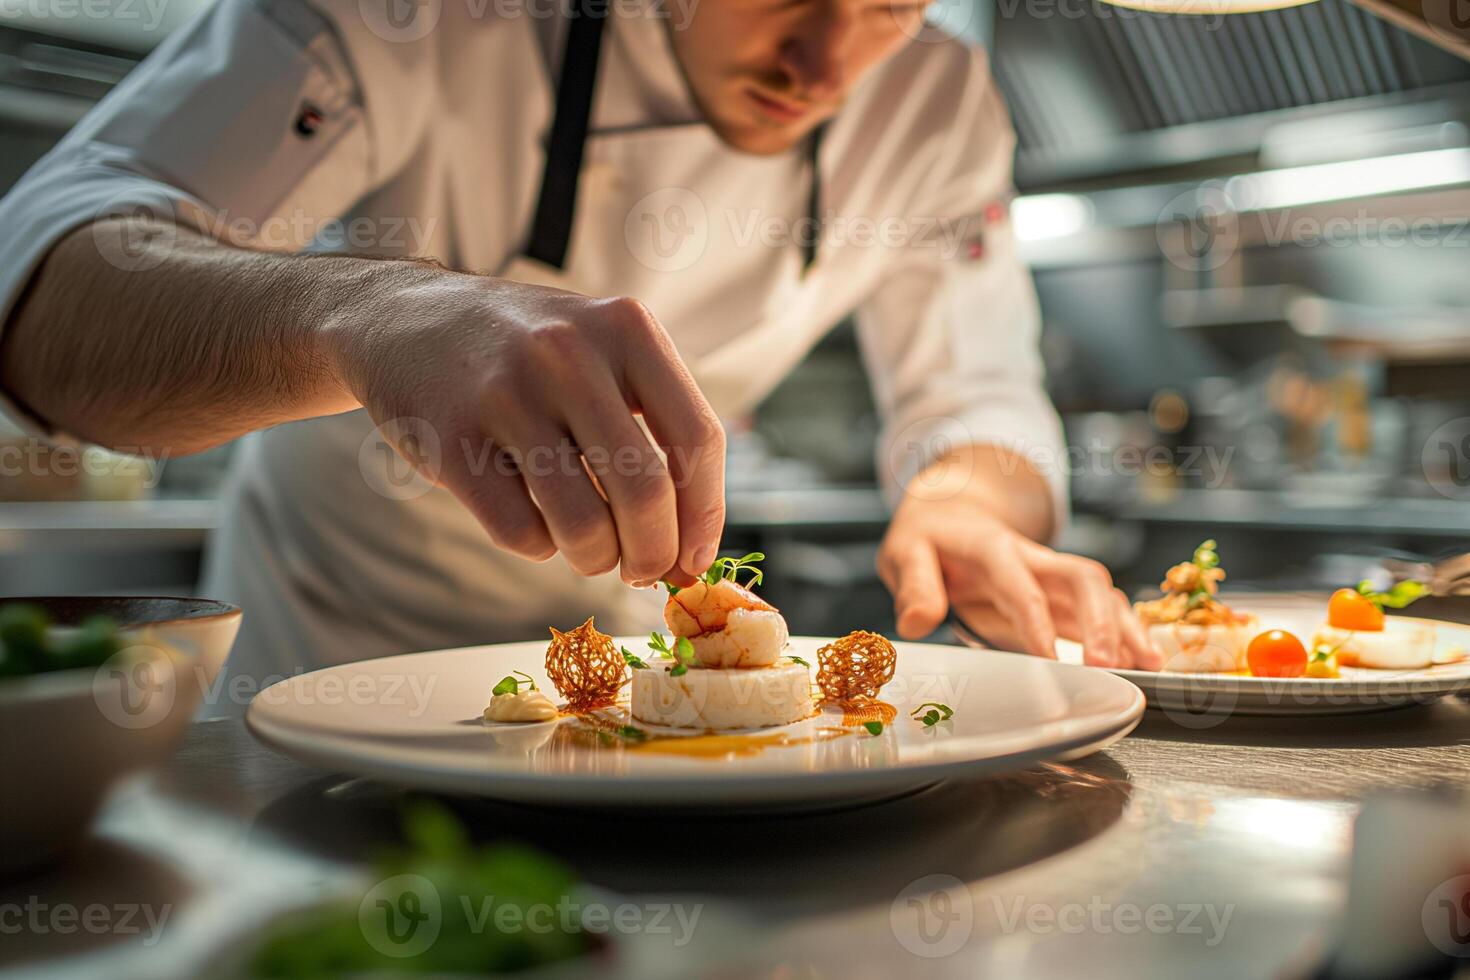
{"type": "Point", "coordinates": [543, 380]}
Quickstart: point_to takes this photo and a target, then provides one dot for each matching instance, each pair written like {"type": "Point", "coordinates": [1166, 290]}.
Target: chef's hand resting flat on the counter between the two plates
{"type": "Point", "coordinates": [952, 549]}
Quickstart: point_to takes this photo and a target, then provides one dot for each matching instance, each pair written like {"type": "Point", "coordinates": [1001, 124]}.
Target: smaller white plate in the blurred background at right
{"type": "Point", "coordinates": [1205, 699]}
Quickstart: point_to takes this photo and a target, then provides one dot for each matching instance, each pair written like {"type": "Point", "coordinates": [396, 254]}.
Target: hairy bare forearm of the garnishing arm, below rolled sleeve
{"type": "Point", "coordinates": [177, 345]}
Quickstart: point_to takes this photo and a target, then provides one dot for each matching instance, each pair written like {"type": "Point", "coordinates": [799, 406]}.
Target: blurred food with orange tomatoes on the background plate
{"type": "Point", "coordinates": [1200, 634]}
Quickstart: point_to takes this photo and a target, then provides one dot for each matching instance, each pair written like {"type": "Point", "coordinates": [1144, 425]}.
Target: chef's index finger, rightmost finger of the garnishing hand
{"type": "Point", "coordinates": [683, 422]}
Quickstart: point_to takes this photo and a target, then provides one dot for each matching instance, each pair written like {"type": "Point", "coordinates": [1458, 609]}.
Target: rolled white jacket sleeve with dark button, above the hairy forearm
{"type": "Point", "coordinates": [205, 134]}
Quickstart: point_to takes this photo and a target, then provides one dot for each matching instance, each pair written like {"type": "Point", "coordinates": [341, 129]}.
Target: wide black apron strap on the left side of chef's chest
{"type": "Point", "coordinates": [556, 208]}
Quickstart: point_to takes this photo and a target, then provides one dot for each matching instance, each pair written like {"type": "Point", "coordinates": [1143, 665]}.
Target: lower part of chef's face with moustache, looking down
{"type": "Point", "coordinates": [767, 73]}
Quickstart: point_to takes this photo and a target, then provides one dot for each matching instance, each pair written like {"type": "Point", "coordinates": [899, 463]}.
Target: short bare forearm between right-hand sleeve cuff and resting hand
{"type": "Point", "coordinates": [1000, 481]}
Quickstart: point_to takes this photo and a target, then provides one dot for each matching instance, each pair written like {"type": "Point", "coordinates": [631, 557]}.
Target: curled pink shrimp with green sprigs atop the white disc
{"type": "Point", "coordinates": [725, 622]}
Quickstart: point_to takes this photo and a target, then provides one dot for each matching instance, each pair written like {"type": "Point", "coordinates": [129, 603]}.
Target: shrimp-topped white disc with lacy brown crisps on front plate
{"type": "Point", "coordinates": [724, 668]}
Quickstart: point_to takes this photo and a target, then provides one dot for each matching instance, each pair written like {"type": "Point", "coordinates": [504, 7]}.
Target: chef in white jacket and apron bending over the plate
{"type": "Point", "coordinates": [505, 267]}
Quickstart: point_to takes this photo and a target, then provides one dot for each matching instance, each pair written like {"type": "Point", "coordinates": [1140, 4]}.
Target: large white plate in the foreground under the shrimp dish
{"type": "Point", "coordinates": [417, 721]}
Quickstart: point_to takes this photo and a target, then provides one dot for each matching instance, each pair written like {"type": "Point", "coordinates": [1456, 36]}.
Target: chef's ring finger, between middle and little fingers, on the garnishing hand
{"type": "Point", "coordinates": [574, 512]}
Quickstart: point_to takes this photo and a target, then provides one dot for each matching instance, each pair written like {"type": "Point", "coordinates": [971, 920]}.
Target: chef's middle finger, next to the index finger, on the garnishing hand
{"type": "Point", "coordinates": [634, 477]}
